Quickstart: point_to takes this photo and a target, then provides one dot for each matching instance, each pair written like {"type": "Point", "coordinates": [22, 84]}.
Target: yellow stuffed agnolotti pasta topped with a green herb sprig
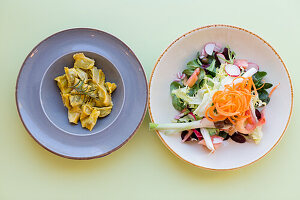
{"type": "Point", "coordinates": [84, 92]}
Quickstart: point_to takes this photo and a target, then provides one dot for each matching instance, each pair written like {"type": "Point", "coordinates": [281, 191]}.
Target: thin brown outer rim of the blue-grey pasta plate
{"type": "Point", "coordinates": [32, 52]}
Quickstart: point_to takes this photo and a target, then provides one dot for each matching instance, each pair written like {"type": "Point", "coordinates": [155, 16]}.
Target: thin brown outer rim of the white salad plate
{"type": "Point", "coordinates": [236, 28]}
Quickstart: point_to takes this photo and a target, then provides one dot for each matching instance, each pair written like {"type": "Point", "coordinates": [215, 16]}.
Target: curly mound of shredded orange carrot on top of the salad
{"type": "Point", "coordinates": [233, 103]}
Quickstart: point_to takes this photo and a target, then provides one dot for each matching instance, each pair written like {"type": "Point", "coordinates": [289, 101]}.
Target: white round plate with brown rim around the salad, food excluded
{"type": "Point", "coordinates": [246, 45]}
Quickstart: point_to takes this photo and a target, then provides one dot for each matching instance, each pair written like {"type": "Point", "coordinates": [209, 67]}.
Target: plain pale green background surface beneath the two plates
{"type": "Point", "coordinates": [143, 168]}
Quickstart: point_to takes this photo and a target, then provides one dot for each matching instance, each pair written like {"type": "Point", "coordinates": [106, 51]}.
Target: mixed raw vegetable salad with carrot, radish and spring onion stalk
{"type": "Point", "coordinates": [219, 97]}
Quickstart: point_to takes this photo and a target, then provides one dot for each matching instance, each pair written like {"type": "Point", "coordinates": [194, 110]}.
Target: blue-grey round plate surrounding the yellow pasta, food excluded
{"type": "Point", "coordinates": [40, 106]}
